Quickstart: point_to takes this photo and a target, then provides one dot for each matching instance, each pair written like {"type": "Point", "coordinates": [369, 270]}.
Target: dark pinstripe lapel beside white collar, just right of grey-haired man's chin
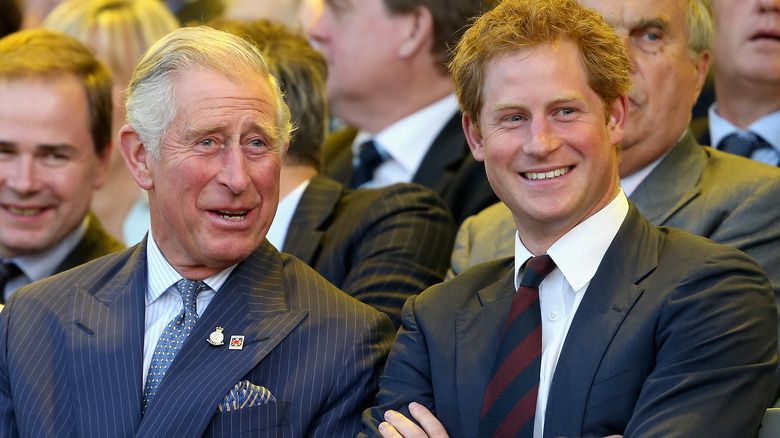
{"type": "Point", "coordinates": [315, 210]}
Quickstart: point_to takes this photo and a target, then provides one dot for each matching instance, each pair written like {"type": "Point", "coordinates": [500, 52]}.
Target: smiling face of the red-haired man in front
{"type": "Point", "coordinates": [549, 152]}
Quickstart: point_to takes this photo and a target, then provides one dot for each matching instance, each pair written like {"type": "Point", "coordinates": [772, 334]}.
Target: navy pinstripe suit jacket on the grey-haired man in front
{"type": "Point", "coordinates": [72, 346]}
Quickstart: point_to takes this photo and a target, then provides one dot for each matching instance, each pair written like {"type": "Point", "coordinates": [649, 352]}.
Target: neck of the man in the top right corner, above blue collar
{"type": "Point", "coordinates": [743, 102]}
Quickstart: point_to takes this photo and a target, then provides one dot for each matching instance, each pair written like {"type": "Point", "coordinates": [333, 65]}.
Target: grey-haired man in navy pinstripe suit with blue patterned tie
{"type": "Point", "coordinates": [203, 328]}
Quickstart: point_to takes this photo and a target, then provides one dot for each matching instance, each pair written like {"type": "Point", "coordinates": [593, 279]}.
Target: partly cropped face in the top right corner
{"type": "Point", "coordinates": [747, 39]}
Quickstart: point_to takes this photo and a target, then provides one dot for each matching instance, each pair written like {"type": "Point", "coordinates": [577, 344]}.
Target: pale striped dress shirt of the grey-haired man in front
{"type": "Point", "coordinates": [163, 300]}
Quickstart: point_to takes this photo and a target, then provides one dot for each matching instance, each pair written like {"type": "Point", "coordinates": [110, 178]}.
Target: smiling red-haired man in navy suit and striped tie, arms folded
{"type": "Point", "coordinates": [601, 324]}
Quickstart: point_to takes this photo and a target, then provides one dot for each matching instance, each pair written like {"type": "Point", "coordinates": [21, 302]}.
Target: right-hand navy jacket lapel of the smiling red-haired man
{"type": "Point", "coordinates": [605, 305]}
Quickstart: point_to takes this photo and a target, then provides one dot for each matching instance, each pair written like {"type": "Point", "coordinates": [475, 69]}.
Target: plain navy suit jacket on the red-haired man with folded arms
{"type": "Point", "coordinates": [675, 337]}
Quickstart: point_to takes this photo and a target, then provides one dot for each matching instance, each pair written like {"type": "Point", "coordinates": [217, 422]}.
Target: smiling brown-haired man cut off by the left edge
{"type": "Point", "coordinates": [55, 144]}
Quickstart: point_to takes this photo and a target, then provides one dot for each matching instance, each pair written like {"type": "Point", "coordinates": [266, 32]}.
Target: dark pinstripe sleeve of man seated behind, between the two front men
{"type": "Point", "coordinates": [404, 250]}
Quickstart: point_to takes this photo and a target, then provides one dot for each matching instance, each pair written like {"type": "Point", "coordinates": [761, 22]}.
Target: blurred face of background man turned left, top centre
{"type": "Point", "coordinates": [359, 39]}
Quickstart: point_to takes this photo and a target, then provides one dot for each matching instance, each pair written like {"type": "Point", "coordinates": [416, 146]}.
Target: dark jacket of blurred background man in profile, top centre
{"type": "Point", "coordinates": [448, 168]}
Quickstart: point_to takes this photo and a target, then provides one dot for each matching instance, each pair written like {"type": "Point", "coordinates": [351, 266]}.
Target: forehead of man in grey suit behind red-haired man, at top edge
{"type": "Point", "coordinates": [633, 14]}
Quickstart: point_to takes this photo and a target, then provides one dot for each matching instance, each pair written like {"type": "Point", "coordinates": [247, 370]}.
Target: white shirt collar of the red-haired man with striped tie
{"type": "Point", "coordinates": [579, 252]}
